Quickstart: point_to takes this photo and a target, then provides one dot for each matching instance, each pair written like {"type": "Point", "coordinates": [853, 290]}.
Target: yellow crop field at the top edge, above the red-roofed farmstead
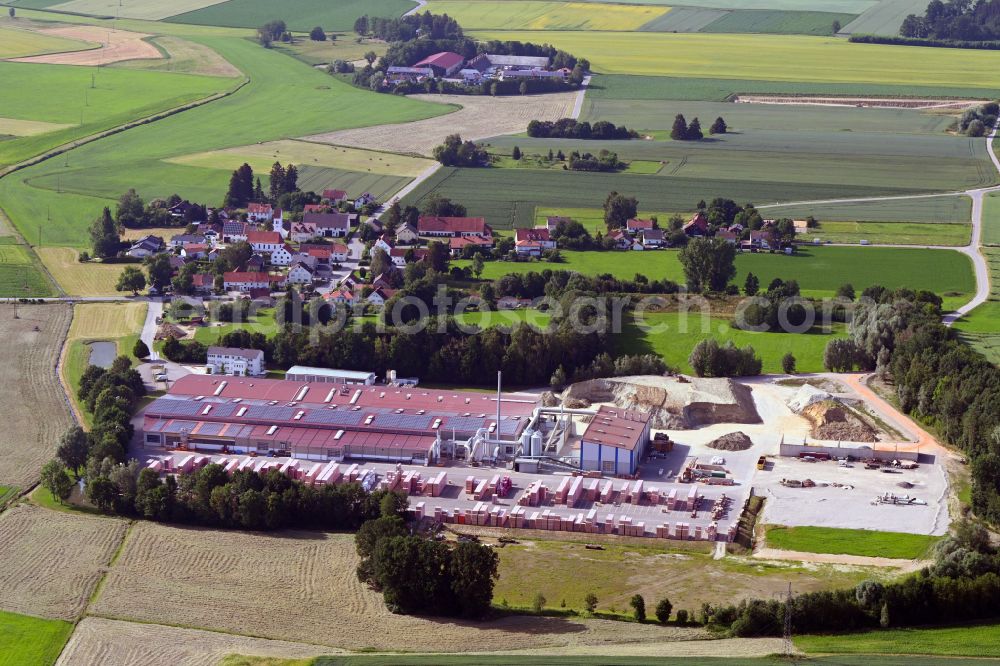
{"type": "Point", "coordinates": [541, 15]}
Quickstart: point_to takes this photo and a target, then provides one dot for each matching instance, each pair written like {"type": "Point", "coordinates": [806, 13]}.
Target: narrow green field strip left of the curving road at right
{"type": "Point", "coordinates": [891, 233]}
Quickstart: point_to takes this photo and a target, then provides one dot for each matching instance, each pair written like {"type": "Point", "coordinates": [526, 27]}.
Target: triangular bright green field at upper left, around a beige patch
{"type": "Point", "coordinates": [63, 95]}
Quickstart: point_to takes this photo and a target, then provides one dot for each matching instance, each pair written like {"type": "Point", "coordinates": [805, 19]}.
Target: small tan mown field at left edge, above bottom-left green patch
{"type": "Point", "coordinates": [53, 560]}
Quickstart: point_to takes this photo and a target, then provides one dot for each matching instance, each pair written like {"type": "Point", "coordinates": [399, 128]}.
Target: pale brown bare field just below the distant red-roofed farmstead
{"type": "Point", "coordinates": [478, 118]}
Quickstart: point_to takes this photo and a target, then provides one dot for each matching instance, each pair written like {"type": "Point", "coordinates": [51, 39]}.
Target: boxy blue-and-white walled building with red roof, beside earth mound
{"type": "Point", "coordinates": [615, 441]}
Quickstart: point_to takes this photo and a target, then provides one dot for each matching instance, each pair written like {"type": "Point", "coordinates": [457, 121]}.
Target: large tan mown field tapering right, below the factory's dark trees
{"type": "Point", "coordinates": [200, 577]}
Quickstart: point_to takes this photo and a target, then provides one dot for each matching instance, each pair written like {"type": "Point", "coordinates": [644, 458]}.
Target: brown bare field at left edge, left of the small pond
{"type": "Point", "coordinates": [29, 387]}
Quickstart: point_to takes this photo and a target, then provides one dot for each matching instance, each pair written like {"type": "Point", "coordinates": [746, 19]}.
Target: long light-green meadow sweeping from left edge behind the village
{"type": "Point", "coordinates": [135, 158]}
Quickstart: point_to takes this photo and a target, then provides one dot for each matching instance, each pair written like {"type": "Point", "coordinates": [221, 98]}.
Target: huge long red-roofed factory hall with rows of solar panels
{"type": "Point", "coordinates": [325, 421]}
